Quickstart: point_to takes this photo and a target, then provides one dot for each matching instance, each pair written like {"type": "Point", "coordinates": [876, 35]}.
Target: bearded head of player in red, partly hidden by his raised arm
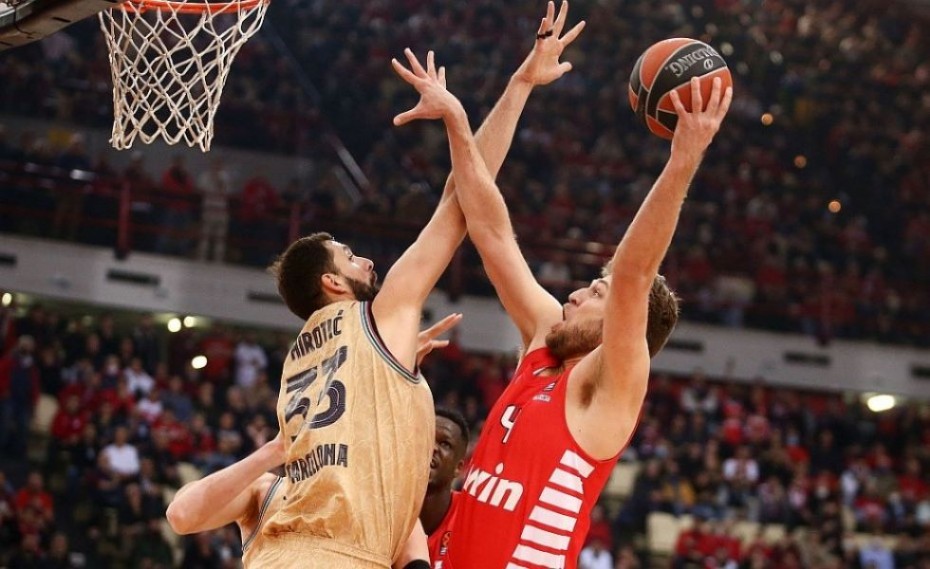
{"type": "Point", "coordinates": [580, 330]}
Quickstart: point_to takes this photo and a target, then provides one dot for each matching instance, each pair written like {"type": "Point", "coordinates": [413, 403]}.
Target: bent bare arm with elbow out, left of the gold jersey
{"type": "Point", "coordinates": [227, 496]}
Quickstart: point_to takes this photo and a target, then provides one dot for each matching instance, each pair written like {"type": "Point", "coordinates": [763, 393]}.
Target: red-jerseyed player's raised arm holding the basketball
{"type": "Point", "coordinates": [603, 418]}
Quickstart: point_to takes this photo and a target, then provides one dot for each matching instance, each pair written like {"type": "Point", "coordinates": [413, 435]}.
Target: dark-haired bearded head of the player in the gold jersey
{"type": "Point", "coordinates": [317, 270]}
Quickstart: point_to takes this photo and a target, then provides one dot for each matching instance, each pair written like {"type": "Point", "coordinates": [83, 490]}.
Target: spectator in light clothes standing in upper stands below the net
{"type": "Point", "coordinates": [215, 188]}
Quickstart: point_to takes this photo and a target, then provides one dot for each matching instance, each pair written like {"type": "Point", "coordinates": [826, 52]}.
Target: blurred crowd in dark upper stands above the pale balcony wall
{"type": "Point", "coordinates": [808, 216]}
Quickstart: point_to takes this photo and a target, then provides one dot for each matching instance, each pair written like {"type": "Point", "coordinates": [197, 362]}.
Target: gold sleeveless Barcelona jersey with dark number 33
{"type": "Point", "coordinates": [362, 433]}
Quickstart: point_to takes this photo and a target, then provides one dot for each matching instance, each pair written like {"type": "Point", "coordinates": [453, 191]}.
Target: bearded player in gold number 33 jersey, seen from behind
{"type": "Point", "coordinates": [358, 422]}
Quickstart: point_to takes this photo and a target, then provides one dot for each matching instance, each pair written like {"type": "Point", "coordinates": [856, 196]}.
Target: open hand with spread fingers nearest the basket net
{"type": "Point", "coordinates": [435, 101]}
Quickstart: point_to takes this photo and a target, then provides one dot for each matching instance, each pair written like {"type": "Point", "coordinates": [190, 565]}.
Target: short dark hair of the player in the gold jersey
{"type": "Point", "coordinates": [298, 273]}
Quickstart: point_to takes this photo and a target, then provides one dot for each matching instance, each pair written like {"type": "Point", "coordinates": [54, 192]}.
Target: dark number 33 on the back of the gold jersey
{"type": "Point", "coordinates": [333, 390]}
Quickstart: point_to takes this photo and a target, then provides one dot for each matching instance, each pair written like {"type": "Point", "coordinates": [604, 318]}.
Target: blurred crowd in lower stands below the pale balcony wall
{"type": "Point", "coordinates": [133, 415]}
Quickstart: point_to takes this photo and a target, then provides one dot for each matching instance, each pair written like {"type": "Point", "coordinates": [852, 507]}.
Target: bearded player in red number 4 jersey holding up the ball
{"type": "Point", "coordinates": [550, 442]}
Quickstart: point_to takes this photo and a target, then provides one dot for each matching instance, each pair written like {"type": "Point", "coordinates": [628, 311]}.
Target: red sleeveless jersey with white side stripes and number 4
{"type": "Point", "coordinates": [529, 489]}
